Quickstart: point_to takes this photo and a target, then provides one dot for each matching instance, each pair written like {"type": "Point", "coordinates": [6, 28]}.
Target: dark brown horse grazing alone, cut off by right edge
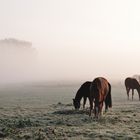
{"type": "Point", "coordinates": [132, 83]}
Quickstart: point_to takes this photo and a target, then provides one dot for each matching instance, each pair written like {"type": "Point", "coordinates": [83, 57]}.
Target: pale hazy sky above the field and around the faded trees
{"type": "Point", "coordinates": [77, 39]}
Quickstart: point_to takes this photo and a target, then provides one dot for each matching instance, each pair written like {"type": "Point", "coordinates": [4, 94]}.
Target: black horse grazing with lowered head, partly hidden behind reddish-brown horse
{"type": "Point", "coordinates": [83, 92]}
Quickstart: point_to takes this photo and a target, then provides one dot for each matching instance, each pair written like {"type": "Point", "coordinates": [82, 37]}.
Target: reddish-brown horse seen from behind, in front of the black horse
{"type": "Point", "coordinates": [100, 92]}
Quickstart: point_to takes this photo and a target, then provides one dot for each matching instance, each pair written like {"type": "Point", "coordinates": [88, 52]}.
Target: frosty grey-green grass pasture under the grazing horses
{"type": "Point", "coordinates": [40, 111]}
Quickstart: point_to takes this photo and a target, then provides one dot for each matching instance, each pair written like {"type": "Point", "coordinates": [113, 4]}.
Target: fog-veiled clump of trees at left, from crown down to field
{"type": "Point", "coordinates": [18, 61]}
